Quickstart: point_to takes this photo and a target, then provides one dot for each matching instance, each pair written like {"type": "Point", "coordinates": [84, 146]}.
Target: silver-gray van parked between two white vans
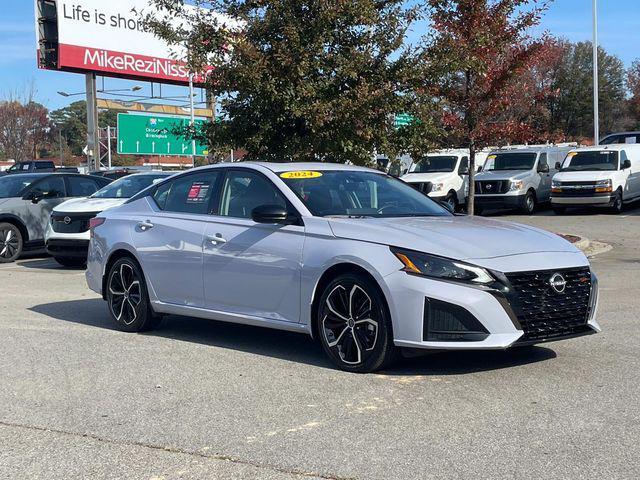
{"type": "Point", "coordinates": [518, 177]}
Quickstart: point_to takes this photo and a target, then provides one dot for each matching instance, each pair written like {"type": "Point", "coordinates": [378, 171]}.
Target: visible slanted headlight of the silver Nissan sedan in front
{"type": "Point", "coordinates": [442, 268]}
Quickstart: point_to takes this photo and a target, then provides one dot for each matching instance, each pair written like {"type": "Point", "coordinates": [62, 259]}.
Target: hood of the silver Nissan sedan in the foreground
{"type": "Point", "coordinates": [457, 237]}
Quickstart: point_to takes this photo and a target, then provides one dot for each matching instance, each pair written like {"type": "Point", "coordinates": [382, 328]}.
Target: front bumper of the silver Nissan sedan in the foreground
{"type": "Point", "coordinates": [501, 322]}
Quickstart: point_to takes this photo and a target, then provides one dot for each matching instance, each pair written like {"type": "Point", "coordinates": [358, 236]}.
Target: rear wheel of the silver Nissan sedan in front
{"type": "Point", "coordinates": [128, 298]}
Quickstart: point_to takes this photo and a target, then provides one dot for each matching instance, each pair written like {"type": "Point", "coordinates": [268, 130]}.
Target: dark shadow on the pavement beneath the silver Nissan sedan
{"type": "Point", "coordinates": [290, 346]}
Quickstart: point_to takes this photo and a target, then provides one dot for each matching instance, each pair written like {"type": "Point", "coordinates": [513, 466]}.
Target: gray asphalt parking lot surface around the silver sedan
{"type": "Point", "coordinates": [200, 399]}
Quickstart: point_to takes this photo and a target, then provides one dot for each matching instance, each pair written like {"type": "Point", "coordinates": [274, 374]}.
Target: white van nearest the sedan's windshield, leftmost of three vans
{"type": "Point", "coordinates": [443, 175]}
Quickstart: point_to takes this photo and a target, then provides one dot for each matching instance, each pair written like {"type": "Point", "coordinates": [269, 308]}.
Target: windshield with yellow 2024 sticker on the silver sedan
{"type": "Point", "coordinates": [359, 194]}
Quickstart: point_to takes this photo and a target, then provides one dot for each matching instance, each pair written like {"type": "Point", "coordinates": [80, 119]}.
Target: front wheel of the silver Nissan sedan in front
{"type": "Point", "coordinates": [354, 326]}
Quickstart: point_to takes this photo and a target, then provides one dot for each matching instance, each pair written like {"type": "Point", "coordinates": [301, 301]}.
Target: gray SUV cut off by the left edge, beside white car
{"type": "Point", "coordinates": [26, 201]}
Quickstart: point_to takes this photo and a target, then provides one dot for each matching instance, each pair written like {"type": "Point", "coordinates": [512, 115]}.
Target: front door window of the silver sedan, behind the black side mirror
{"type": "Point", "coordinates": [243, 191]}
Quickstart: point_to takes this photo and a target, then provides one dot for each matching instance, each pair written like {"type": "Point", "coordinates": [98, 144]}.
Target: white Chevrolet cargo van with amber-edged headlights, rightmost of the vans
{"type": "Point", "coordinates": [606, 176]}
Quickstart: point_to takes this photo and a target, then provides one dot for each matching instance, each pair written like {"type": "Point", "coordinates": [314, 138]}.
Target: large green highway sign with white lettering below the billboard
{"type": "Point", "coordinates": [156, 135]}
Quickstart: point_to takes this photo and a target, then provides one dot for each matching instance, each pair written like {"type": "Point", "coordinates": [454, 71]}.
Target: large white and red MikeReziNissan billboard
{"type": "Point", "coordinates": [107, 38]}
